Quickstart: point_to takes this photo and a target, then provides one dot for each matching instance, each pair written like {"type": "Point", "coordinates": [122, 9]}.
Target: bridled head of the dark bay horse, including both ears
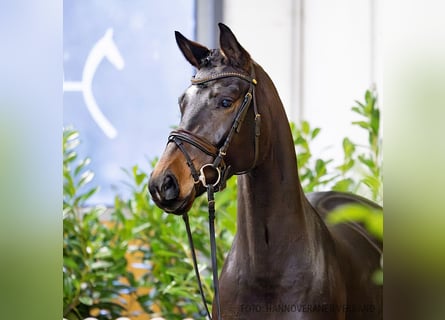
{"type": "Point", "coordinates": [219, 128]}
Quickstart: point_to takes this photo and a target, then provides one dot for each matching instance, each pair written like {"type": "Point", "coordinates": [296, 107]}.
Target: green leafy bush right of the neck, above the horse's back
{"type": "Point", "coordinates": [361, 169]}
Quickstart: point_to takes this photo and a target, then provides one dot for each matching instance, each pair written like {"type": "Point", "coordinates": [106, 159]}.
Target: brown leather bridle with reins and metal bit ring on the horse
{"type": "Point", "coordinates": [219, 167]}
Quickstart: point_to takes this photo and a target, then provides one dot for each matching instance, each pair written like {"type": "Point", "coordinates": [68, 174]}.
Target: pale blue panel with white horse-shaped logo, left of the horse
{"type": "Point", "coordinates": [121, 82]}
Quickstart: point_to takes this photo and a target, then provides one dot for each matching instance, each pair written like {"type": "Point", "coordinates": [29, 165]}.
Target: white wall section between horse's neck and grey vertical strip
{"type": "Point", "coordinates": [265, 28]}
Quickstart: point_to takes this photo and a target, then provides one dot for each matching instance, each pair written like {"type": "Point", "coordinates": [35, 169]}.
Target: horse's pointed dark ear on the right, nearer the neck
{"type": "Point", "coordinates": [231, 48]}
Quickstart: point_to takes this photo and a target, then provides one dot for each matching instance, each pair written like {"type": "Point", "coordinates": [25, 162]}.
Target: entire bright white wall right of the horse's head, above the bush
{"type": "Point", "coordinates": [321, 54]}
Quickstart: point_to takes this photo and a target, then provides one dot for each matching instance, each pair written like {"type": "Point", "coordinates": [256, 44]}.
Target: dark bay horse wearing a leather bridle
{"type": "Point", "coordinates": [285, 262]}
